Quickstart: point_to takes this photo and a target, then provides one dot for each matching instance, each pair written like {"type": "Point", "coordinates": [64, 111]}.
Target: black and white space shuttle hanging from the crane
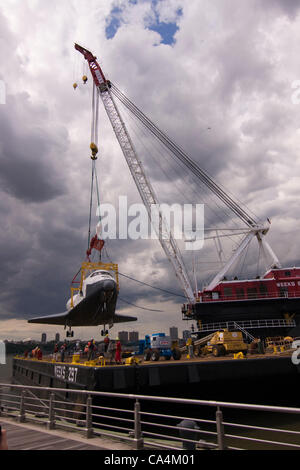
{"type": "Point", "coordinates": [93, 305]}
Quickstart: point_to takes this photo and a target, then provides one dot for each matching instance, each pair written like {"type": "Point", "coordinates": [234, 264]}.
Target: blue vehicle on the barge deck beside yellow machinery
{"type": "Point", "coordinates": [158, 345]}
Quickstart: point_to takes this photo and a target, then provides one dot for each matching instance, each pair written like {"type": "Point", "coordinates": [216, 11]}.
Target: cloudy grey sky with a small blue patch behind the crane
{"type": "Point", "coordinates": [218, 76]}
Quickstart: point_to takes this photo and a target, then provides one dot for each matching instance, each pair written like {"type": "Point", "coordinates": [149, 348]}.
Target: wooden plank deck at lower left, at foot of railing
{"type": "Point", "coordinates": [34, 437]}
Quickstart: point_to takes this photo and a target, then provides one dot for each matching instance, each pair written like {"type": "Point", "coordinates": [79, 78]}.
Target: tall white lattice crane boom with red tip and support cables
{"type": "Point", "coordinates": [252, 227]}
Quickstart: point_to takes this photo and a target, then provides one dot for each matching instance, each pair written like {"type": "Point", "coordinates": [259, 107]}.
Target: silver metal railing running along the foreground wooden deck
{"type": "Point", "coordinates": [153, 422]}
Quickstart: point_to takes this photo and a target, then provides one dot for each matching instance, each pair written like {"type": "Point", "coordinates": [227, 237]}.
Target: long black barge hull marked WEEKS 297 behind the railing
{"type": "Point", "coordinates": [267, 378]}
